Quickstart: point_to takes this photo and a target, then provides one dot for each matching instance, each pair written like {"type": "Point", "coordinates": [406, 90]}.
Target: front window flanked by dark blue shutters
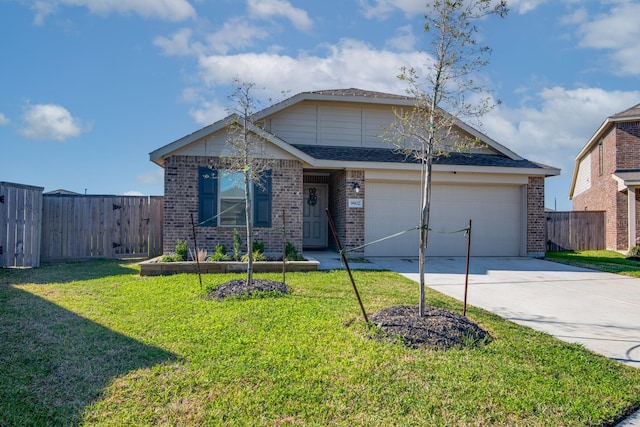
{"type": "Point", "coordinates": [221, 198]}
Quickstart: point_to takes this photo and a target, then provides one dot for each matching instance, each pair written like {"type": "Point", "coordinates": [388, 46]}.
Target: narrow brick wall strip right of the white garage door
{"type": "Point", "coordinates": [536, 219]}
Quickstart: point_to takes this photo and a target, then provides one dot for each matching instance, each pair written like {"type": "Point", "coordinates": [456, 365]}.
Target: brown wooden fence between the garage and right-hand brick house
{"type": "Point", "coordinates": [584, 230]}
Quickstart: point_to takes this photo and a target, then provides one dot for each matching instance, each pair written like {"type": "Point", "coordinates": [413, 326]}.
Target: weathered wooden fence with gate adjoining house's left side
{"type": "Point", "coordinates": [81, 227]}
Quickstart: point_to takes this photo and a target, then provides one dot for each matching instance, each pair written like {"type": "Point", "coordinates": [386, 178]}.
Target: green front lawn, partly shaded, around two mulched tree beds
{"type": "Point", "coordinates": [96, 344]}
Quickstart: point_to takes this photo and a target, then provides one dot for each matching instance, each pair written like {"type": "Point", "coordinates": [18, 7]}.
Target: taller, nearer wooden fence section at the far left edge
{"type": "Point", "coordinates": [20, 222]}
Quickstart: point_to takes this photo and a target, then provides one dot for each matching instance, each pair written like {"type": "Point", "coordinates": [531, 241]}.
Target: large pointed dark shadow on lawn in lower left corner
{"type": "Point", "coordinates": [54, 363]}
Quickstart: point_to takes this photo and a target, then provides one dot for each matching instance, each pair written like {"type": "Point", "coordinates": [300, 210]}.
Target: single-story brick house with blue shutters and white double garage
{"type": "Point", "coordinates": [325, 153]}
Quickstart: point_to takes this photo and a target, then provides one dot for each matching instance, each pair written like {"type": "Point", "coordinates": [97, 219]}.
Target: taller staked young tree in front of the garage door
{"type": "Point", "coordinates": [447, 93]}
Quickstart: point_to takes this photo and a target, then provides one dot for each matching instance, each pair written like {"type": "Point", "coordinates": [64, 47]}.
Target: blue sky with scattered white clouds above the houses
{"type": "Point", "coordinates": [89, 87]}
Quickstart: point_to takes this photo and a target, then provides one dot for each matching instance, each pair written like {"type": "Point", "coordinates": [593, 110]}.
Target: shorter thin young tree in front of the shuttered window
{"type": "Point", "coordinates": [247, 155]}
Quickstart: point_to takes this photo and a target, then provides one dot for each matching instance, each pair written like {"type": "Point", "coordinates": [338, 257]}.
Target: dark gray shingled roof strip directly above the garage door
{"type": "Point", "coordinates": [387, 155]}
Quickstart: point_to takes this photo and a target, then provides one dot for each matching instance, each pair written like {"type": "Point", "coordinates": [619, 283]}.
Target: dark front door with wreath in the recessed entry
{"type": "Point", "coordinates": [314, 219]}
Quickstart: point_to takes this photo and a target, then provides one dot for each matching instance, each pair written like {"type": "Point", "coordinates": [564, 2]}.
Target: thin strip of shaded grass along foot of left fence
{"type": "Point", "coordinates": [67, 271]}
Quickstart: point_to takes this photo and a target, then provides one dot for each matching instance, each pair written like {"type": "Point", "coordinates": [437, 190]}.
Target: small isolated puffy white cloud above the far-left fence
{"type": "Point", "coordinates": [51, 122]}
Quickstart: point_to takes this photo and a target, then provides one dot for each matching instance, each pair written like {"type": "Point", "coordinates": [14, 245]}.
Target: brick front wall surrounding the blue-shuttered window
{"type": "Point", "coordinates": [181, 200]}
